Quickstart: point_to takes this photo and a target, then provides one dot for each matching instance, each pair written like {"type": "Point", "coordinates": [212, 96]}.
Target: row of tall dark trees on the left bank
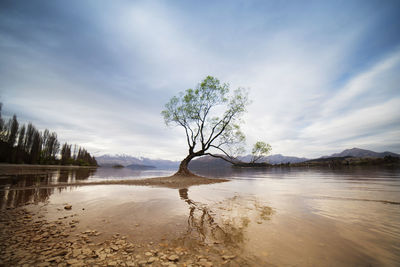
{"type": "Point", "coordinates": [28, 145]}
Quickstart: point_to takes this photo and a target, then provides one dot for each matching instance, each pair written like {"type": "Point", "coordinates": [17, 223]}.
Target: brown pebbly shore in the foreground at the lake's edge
{"type": "Point", "coordinates": [27, 238]}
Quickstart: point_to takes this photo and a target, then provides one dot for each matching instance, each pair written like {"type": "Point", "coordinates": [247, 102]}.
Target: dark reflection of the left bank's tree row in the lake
{"type": "Point", "coordinates": [17, 190]}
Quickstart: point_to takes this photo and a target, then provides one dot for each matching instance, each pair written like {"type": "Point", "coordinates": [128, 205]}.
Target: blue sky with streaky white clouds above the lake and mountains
{"type": "Point", "coordinates": [323, 76]}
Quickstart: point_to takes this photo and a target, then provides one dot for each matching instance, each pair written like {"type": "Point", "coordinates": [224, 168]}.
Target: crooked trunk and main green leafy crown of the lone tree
{"type": "Point", "coordinates": [210, 115]}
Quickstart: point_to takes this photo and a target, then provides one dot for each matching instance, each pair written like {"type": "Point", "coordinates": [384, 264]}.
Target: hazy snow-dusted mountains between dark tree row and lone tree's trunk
{"type": "Point", "coordinates": [126, 160]}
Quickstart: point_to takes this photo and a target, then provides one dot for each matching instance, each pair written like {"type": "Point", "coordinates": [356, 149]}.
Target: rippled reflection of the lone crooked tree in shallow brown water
{"type": "Point", "coordinates": [224, 223]}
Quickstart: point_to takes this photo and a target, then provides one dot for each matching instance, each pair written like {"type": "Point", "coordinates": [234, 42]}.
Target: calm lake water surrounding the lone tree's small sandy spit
{"type": "Point", "coordinates": [302, 217]}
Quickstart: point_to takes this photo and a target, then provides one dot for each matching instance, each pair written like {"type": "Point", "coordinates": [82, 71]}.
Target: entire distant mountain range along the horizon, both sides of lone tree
{"type": "Point", "coordinates": [210, 162]}
